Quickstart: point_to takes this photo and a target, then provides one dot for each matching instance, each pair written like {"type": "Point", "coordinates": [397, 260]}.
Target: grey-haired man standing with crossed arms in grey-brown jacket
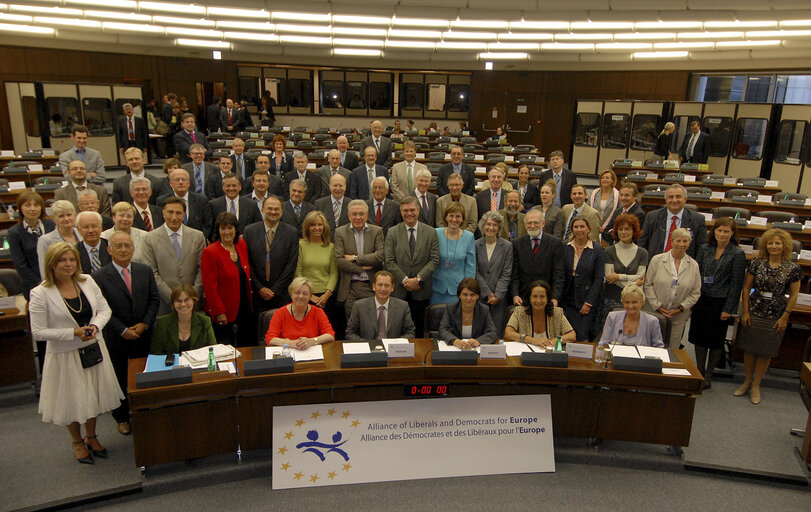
{"type": "Point", "coordinates": [358, 253]}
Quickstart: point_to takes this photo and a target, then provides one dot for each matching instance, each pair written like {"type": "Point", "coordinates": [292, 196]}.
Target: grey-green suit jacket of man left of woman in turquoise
{"type": "Point", "coordinates": [402, 264]}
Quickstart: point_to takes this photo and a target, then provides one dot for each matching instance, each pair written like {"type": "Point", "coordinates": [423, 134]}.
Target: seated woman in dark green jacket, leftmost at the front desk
{"type": "Point", "coordinates": [182, 329]}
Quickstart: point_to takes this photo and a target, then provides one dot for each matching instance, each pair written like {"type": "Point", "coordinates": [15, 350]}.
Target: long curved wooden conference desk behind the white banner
{"type": "Point", "coordinates": [219, 413]}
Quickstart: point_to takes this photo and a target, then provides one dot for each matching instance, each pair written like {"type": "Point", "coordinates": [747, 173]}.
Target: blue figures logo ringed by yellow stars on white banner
{"type": "Point", "coordinates": [316, 459]}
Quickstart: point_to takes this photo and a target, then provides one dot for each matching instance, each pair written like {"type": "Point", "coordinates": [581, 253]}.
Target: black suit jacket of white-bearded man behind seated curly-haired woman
{"type": "Point", "coordinates": [546, 265]}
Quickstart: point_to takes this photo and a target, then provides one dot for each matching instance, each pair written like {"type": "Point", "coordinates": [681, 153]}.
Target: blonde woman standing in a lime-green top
{"type": "Point", "coordinates": [316, 262]}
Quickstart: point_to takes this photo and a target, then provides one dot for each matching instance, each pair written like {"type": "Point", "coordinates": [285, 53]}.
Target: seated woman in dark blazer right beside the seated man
{"type": "Point", "coordinates": [467, 323]}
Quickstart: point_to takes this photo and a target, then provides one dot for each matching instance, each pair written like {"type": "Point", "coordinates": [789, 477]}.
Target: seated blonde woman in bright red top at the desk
{"type": "Point", "coordinates": [299, 324]}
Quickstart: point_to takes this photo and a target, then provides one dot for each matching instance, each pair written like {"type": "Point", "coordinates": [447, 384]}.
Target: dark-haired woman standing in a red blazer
{"type": "Point", "coordinates": [227, 284]}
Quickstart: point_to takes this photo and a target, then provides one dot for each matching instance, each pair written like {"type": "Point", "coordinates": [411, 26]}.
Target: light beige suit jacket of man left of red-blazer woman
{"type": "Point", "coordinates": [169, 272]}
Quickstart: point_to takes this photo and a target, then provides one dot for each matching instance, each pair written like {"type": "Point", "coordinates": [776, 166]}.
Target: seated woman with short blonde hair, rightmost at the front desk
{"type": "Point", "coordinates": [633, 326]}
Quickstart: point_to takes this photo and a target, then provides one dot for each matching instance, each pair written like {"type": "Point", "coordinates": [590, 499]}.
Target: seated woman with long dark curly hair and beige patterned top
{"type": "Point", "coordinates": [538, 321]}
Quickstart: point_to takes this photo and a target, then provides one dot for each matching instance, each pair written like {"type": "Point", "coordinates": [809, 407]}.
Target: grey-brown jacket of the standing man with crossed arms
{"type": "Point", "coordinates": [372, 255]}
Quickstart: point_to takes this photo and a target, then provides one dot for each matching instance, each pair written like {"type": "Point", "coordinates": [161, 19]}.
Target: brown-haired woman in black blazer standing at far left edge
{"type": "Point", "coordinates": [23, 236]}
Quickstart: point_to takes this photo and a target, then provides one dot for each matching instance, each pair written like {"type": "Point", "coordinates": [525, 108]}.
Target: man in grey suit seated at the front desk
{"type": "Point", "coordinates": [381, 316]}
